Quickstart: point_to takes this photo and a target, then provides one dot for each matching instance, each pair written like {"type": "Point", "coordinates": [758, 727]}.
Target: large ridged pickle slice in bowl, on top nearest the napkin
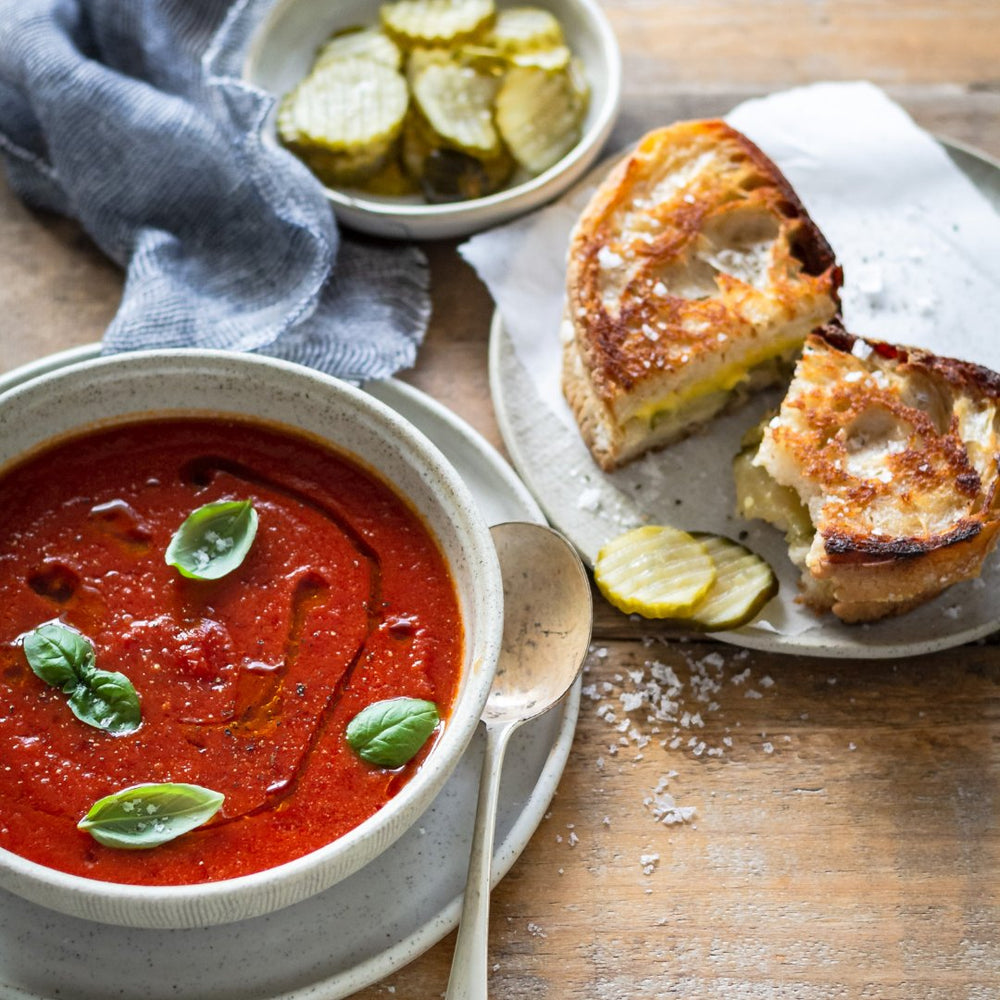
{"type": "Point", "coordinates": [348, 106]}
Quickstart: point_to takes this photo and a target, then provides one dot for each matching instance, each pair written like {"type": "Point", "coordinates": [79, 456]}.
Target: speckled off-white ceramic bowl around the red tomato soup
{"type": "Point", "coordinates": [187, 382]}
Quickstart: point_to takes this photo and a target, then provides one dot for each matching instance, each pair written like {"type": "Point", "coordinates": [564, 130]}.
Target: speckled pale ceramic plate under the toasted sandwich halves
{"type": "Point", "coordinates": [589, 506]}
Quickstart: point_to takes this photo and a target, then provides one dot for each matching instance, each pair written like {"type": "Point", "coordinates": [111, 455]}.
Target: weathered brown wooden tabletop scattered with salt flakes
{"type": "Point", "coordinates": [841, 836]}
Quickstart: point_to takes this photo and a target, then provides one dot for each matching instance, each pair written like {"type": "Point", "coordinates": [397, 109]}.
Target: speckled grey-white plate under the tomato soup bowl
{"type": "Point", "coordinates": [361, 929]}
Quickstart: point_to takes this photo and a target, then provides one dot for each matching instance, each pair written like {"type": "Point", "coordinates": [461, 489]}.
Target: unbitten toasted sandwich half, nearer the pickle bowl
{"type": "Point", "coordinates": [694, 275]}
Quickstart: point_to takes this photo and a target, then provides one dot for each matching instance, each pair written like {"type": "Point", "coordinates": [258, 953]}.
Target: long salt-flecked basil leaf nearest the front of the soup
{"type": "Point", "coordinates": [144, 816]}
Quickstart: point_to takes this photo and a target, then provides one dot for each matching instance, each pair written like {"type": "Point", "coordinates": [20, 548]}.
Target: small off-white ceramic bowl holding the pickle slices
{"type": "Point", "coordinates": [281, 53]}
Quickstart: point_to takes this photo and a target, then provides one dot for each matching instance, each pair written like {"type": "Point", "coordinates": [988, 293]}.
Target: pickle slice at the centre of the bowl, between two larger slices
{"type": "Point", "coordinates": [457, 103]}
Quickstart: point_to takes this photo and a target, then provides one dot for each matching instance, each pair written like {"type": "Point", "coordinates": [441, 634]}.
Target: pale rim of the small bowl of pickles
{"type": "Point", "coordinates": [566, 169]}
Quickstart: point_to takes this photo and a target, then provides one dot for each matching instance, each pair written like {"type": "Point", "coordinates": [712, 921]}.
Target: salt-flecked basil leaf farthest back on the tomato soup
{"type": "Point", "coordinates": [213, 540]}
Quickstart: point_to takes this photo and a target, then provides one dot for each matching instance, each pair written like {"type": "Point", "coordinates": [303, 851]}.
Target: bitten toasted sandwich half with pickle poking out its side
{"type": "Point", "coordinates": [881, 466]}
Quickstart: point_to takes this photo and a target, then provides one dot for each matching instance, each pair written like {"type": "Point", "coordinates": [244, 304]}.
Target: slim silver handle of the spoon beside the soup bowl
{"type": "Point", "coordinates": [467, 980]}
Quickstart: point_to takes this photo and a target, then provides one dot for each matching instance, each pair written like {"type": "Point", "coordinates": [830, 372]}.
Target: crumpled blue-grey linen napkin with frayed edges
{"type": "Point", "coordinates": [130, 116]}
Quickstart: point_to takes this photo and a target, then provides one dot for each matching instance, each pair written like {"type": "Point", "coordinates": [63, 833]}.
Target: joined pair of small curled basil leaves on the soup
{"type": "Point", "coordinates": [64, 658]}
